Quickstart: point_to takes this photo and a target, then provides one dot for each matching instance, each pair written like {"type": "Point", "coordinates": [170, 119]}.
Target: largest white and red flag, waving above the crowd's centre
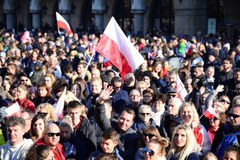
{"type": "Point", "coordinates": [115, 46]}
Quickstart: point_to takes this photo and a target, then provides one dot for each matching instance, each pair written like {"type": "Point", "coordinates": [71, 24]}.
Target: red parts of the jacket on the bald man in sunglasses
{"type": "Point", "coordinates": [59, 147]}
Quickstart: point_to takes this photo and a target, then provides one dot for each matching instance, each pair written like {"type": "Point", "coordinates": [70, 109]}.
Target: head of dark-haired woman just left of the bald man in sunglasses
{"type": "Point", "coordinates": [39, 122]}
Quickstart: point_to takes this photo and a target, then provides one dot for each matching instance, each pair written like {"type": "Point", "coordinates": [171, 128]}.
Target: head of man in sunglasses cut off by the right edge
{"type": "Point", "coordinates": [234, 115]}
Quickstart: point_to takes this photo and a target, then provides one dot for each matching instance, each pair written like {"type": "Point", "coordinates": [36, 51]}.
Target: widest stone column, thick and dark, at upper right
{"type": "Point", "coordinates": [190, 16]}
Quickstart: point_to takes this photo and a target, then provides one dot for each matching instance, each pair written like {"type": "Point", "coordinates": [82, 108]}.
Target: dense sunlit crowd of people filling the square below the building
{"type": "Point", "coordinates": [146, 115]}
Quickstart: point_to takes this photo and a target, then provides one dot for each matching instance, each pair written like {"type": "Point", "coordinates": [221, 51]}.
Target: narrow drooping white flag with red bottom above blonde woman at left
{"type": "Point", "coordinates": [60, 104]}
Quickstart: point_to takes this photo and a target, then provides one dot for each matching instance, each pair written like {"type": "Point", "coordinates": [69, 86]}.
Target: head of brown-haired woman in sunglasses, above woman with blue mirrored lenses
{"type": "Point", "coordinates": [150, 133]}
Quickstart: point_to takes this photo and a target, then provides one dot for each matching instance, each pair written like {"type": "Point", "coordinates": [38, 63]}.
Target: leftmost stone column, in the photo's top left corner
{"type": "Point", "coordinates": [9, 10]}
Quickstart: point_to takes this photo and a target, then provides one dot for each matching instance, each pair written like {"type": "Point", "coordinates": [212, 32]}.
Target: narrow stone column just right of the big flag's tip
{"type": "Point", "coordinates": [138, 8]}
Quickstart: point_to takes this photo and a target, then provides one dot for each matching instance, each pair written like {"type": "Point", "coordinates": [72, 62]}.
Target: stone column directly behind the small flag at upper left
{"type": "Point", "coordinates": [65, 8]}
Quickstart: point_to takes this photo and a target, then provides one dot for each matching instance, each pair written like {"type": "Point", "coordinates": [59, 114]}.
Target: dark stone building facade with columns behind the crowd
{"type": "Point", "coordinates": [134, 16]}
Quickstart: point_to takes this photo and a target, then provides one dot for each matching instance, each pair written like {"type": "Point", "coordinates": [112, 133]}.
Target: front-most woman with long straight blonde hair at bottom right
{"type": "Point", "coordinates": [183, 145]}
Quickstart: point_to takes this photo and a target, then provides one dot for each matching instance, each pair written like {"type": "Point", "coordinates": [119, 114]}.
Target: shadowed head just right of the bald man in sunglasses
{"type": "Point", "coordinates": [65, 130]}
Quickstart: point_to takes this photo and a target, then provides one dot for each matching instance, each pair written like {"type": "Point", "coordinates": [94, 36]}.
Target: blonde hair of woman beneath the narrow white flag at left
{"type": "Point", "coordinates": [50, 109]}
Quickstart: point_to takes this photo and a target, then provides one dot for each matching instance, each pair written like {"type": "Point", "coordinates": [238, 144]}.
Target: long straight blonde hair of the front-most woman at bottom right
{"type": "Point", "coordinates": [189, 147]}
